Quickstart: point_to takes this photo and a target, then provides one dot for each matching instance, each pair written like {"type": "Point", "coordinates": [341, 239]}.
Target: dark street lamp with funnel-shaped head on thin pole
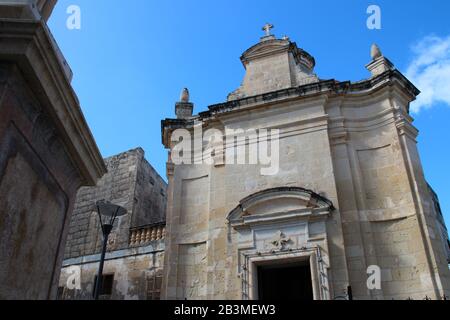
{"type": "Point", "coordinates": [107, 213]}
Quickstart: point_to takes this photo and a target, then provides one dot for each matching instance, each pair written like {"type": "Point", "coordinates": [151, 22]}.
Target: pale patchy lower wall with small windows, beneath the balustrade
{"type": "Point", "coordinates": [136, 272]}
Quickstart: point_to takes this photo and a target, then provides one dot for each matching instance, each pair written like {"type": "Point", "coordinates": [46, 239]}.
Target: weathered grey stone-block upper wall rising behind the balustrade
{"type": "Point", "coordinates": [130, 182]}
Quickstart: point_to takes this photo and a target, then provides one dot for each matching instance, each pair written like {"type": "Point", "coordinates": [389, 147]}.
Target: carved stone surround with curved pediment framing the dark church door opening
{"type": "Point", "coordinates": [274, 227]}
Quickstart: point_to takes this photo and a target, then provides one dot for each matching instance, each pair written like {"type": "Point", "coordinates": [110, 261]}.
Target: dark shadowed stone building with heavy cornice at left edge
{"type": "Point", "coordinates": [46, 151]}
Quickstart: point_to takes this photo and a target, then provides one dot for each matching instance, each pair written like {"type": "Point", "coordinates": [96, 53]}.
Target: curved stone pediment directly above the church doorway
{"type": "Point", "coordinates": [278, 204]}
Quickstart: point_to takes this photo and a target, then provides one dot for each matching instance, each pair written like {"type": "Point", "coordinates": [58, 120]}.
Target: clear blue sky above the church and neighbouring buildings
{"type": "Point", "coordinates": [131, 58]}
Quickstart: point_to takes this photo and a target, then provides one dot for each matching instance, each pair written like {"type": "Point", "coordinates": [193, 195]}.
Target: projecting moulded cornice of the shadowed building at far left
{"type": "Point", "coordinates": [29, 44]}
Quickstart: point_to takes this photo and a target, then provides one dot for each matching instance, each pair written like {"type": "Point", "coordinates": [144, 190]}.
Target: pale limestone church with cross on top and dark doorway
{"type": "Point", "coordinates": [349, 193]}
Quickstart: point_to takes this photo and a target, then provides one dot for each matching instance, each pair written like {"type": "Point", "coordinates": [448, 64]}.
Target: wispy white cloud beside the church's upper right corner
{"type": "Point", "coordinates": [430, 72]}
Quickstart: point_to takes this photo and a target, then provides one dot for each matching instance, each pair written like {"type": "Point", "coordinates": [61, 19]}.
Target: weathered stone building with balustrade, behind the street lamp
{"type": "Point", "coordinates": [133, 265]}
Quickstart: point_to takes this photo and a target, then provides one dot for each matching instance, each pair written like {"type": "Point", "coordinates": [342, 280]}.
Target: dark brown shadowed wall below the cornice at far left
{"type": "Point", "coordinates": [34, 206]}
